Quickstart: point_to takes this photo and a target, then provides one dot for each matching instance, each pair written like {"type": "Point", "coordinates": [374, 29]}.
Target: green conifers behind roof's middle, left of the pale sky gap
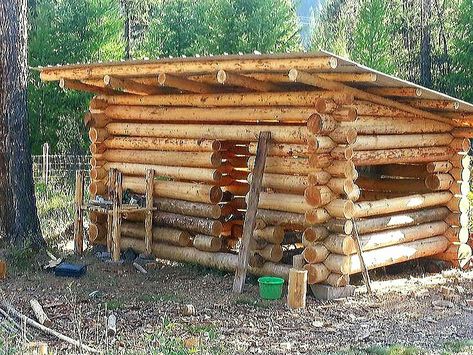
{"type": "Point", "coordinates": [183, 27]}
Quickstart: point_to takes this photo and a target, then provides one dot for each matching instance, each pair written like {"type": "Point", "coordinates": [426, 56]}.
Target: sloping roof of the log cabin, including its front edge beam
{"type": "Point", "coordinates": [319, 62]}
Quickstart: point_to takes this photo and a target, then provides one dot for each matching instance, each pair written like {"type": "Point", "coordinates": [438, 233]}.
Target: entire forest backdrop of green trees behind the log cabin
{"type": "Point", "coordinates": [429, 42]}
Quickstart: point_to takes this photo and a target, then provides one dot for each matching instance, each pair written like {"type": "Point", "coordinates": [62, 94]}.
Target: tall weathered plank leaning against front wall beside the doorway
{"type": "Point", "coordinates": [250, 216]}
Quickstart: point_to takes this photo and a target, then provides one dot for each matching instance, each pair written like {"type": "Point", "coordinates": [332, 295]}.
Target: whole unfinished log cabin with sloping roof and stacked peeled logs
{"type": "Point", "coordinates": [349, 146]}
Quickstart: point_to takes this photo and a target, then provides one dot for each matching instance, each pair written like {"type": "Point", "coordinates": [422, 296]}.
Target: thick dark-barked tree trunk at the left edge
{"type": "Point", "coordinates": [18, 218]}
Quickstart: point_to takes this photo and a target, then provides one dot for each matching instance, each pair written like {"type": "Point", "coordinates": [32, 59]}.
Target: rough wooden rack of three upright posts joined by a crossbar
{"type": "Point", "coordinates": [114, 214]}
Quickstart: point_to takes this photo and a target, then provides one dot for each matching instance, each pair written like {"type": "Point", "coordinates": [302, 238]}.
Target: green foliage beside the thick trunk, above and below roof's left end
{"type": "Point", "coordinates": [67, 31]}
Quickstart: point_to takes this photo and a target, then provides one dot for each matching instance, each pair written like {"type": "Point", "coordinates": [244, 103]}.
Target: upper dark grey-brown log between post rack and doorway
{"type": "Point", "coordinates": [188, 208]}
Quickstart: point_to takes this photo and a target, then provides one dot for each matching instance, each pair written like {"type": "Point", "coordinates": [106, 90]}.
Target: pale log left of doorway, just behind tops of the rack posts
{"type": "Point", "coordinates": [175, 172]}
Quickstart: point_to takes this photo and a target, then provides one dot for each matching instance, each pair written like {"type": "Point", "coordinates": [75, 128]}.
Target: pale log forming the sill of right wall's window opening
{"type": "Point", "coordinates": [397, 204]}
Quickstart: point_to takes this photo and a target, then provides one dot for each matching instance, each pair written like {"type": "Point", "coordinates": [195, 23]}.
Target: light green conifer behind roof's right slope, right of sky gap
{"type": "Point", "coordinates": [372, 36]}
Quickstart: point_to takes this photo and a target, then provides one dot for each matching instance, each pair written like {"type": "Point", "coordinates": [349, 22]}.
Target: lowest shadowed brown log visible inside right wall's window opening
{"type": "Point", "coordinates": [394, 185]}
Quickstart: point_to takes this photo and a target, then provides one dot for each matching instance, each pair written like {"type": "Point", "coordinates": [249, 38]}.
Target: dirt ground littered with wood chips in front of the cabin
{"type": "Point", "coordinates": [425, 311]}
